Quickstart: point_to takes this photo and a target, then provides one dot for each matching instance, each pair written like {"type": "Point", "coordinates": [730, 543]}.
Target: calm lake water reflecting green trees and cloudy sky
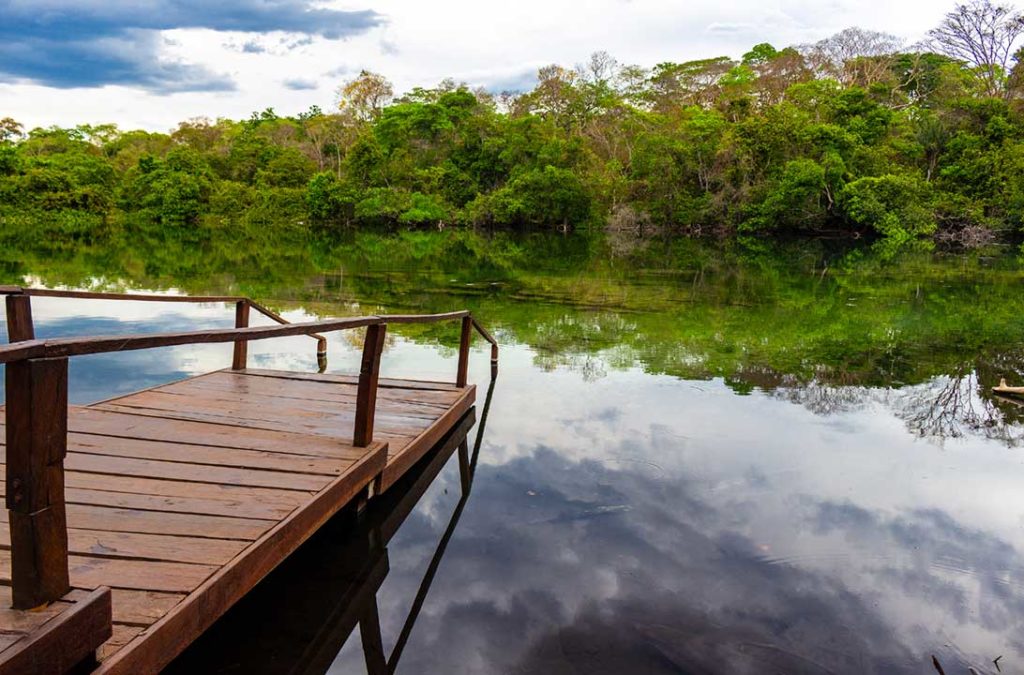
{"type": "Point", "coordinates": [696, 460]}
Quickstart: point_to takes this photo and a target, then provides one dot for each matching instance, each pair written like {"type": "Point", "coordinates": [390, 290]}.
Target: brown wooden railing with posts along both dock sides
{"type": "Point", "coordinates": [37, 409]}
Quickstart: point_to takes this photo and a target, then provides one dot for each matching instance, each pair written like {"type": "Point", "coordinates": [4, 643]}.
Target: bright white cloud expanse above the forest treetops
{"type": "Point", "coordinates": [484, 44]}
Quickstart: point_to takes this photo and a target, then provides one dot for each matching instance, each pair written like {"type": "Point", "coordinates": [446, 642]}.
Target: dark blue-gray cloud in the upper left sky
{"type": "Point", "coordinates": [72, 45]}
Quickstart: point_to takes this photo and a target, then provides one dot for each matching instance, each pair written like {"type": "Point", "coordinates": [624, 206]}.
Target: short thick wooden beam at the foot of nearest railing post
{"type": "Point", "coordinates": [64, 642]}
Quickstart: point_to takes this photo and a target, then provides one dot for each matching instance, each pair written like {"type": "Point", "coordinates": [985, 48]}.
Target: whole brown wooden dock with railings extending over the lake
{"type": "Point", "coordinates": [136, 523]}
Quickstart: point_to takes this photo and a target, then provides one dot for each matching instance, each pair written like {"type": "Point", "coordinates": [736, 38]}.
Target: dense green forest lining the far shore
{"type": "Point", "coordinates": [856, 135]}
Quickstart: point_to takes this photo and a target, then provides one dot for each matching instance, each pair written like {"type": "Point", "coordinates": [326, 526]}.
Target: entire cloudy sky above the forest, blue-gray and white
{"type": "Point", "coordinates": [151, 64]}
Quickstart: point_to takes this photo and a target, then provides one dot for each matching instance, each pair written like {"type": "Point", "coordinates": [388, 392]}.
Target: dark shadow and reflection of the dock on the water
{"type": "Point", "coordinates": [298, 619]}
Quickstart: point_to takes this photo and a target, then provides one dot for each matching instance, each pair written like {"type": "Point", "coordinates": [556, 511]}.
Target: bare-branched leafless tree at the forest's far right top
{"type": "Point", "coordinates": [985, 35]}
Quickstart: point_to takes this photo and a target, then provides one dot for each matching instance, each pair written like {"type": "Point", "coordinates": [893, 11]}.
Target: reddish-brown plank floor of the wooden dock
{"type": "Point", "coordinates": [183, 497]}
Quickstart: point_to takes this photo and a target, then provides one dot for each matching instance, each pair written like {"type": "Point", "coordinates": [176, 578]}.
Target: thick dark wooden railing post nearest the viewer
{"type": "Point", "coordinates": [37, 443]}
